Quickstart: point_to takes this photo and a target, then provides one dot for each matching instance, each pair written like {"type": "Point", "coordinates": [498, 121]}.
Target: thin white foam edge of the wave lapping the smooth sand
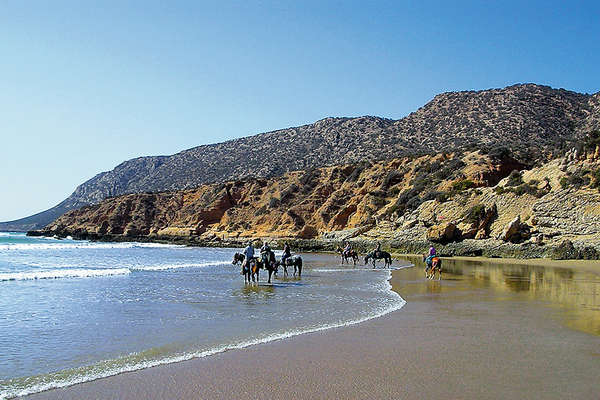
{"type": "Point", "coordinates": [133, 362]}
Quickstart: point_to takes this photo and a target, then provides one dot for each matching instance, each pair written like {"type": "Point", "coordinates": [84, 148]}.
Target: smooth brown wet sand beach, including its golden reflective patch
{"type": "Point", "coordinates": [486, 331]}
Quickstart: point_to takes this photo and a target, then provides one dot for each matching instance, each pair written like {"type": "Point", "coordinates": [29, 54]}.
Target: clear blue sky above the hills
{"type": "Point", "coordinates": [85, 86]}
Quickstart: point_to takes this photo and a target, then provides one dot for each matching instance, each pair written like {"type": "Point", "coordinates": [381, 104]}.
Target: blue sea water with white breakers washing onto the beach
{"type": "Point", "coordinates": [74, 311]}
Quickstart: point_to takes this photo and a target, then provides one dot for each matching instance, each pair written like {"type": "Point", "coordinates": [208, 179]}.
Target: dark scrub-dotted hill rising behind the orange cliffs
{"type": "Point", "coordinates": [532, 121]}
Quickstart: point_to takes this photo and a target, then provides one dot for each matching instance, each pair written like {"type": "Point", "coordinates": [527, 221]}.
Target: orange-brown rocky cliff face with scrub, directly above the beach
{"type": "Point", "coordinates": [467, 204]}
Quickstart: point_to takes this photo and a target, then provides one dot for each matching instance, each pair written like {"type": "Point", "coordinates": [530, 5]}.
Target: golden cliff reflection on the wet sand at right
{"type": "Point", "coordinates": [575, 292]}
